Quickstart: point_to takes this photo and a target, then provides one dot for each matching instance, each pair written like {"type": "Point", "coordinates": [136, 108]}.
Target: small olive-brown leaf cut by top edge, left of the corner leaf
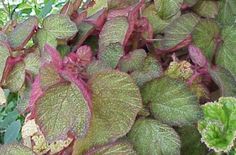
{"type": "Point", "coordinates": [208, 9]}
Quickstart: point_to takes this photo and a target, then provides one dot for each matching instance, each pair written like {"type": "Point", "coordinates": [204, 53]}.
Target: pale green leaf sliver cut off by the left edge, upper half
{"type": "Point", "coordinates": [4, 54]}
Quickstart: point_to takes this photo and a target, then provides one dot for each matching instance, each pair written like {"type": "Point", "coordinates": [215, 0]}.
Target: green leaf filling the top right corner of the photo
{"type": "Point", "coordinates": [227, 12]}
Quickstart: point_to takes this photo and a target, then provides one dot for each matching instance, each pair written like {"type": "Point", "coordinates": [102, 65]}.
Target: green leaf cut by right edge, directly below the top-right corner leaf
{"type": "Point", "coordinates": [226, 56]}
